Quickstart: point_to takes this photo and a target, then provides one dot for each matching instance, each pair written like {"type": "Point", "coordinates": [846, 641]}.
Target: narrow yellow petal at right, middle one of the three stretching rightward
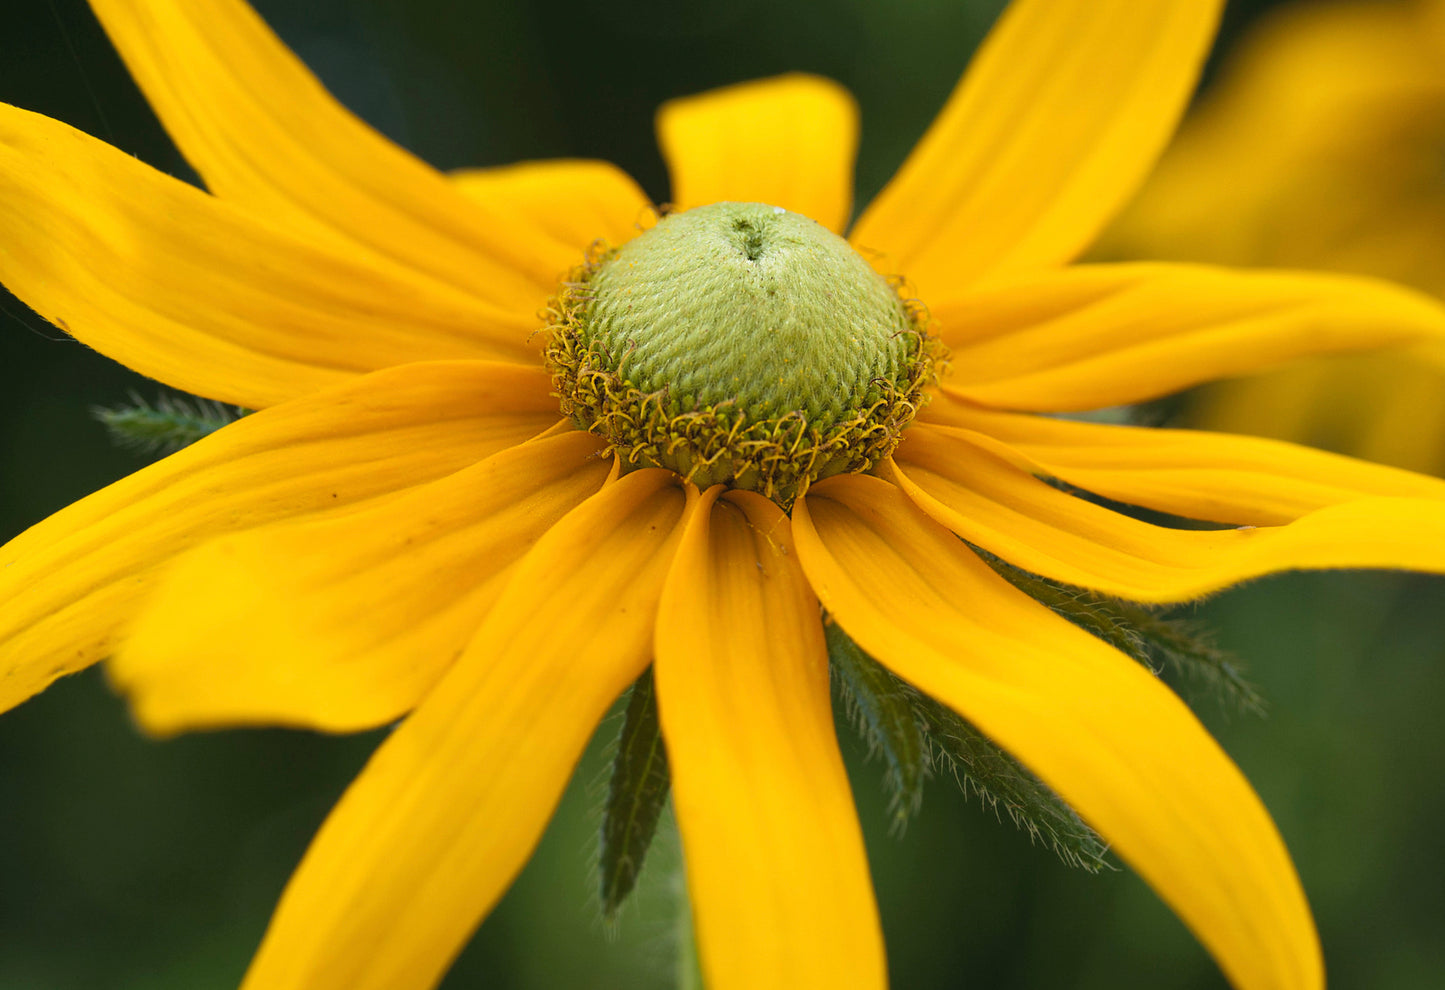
{"type": "Point", "coordinates": [1184, 472]}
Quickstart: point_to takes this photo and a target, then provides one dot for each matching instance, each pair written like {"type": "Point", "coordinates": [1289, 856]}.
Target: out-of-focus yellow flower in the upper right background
{"type": "Point", "coordinates": [1321, 147]}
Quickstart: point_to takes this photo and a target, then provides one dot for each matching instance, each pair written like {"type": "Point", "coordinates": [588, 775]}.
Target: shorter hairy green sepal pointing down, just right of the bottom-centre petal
{"type": "Point", "coordinates": [882, 710]}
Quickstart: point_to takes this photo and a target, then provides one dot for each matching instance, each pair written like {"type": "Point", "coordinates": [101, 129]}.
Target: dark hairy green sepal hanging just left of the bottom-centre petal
{"type": "Point", "coordinates": [637, 797]}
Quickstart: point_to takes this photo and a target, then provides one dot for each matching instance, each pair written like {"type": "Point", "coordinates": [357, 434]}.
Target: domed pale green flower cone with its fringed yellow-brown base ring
{"type": "Point", "coordinates": [741, 345]}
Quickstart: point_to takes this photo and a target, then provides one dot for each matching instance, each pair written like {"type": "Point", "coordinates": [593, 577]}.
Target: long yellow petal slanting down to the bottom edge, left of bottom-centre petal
{"type": "Point", "coordinates": [452, 806]}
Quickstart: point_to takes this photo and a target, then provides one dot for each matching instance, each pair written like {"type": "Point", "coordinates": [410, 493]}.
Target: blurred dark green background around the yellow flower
{"type": "Point", "coordinates": [132, 864]}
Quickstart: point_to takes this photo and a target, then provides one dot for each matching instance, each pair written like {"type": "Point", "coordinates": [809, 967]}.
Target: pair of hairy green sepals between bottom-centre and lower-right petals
{"type": "Point", "coordinates": [918, 736]}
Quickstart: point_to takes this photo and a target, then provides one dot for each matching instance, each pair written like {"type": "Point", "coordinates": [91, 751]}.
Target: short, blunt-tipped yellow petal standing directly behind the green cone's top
{"type": "Point", "coordinates": [788, 142]}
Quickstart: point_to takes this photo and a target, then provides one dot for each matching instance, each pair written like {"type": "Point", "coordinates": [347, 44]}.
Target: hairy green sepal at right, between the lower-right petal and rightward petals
{"type": "Point", "coordinates": [1144, 632]}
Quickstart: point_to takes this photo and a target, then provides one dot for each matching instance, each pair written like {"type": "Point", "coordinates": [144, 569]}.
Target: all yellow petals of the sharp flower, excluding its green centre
{"type": "Point", "coordinates": [408, 528]}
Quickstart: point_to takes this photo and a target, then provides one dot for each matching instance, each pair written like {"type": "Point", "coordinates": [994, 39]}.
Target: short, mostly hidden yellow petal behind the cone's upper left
{"type": "Point", "coordinates": [577, 202]}
